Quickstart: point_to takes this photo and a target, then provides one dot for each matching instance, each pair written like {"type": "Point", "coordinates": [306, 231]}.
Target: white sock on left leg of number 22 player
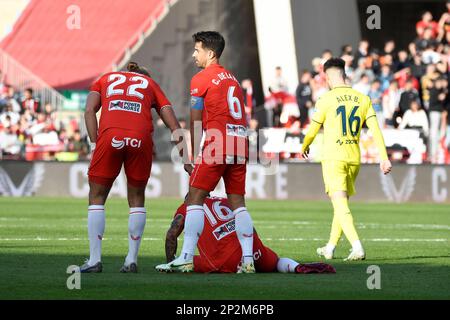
{"type": "Point", "coordinates": [96, 228]}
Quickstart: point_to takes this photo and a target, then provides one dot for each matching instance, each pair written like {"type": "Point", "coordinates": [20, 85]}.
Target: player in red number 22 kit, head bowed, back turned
{"type": "Point", "coordinates": [123, 137]}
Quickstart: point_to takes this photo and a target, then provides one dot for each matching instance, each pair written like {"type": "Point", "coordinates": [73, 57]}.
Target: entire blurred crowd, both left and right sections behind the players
{"type": "Point", "coordinates": [408, 88]}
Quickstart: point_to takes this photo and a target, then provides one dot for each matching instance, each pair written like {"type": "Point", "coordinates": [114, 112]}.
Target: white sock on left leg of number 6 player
{"type": "Point", "coordinates": [193, 228]}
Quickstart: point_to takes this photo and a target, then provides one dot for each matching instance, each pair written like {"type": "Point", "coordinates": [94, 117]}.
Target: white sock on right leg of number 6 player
{"type": "Point", "coordinates": [244, 231]}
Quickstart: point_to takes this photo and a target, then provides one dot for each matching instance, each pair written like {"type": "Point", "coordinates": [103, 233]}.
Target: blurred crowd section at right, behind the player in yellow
{"type": "Point", "coordinates": [408, 86]}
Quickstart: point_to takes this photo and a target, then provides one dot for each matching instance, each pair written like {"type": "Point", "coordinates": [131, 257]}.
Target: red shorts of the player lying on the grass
{"type": "Point", "coordinates": [265, 260]}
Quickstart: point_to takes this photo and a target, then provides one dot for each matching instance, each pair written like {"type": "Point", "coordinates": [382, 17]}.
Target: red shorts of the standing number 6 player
{"type": "Point", "coordinates": [207, 176]}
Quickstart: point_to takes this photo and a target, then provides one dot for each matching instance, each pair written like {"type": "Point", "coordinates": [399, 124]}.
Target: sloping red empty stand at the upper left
{"type": "Point", "coordinates": [105, 33]}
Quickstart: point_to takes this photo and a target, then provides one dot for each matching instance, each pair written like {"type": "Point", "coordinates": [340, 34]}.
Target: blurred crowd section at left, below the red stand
{"type": "Point", "coordinates": [31, 130]}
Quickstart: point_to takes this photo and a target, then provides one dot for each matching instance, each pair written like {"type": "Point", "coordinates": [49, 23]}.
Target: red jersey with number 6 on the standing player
{"type": "Point", "coordinates": [224, 111]}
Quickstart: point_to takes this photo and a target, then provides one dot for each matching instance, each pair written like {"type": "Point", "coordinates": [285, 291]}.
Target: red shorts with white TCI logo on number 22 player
{"type": "Point", "coordinates": [117, 146]}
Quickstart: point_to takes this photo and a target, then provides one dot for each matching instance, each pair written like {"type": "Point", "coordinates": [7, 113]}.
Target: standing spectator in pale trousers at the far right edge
{"type": "Point", "coordinates": [438, 95]}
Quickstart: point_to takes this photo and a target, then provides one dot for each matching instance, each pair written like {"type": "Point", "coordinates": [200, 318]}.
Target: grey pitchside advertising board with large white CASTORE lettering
{"type": "Point", "coordinates": [421, 183]}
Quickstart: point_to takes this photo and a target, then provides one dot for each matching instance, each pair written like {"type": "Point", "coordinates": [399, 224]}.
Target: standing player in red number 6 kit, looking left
{"type": "Point", "coordinates": [217, 105]}
